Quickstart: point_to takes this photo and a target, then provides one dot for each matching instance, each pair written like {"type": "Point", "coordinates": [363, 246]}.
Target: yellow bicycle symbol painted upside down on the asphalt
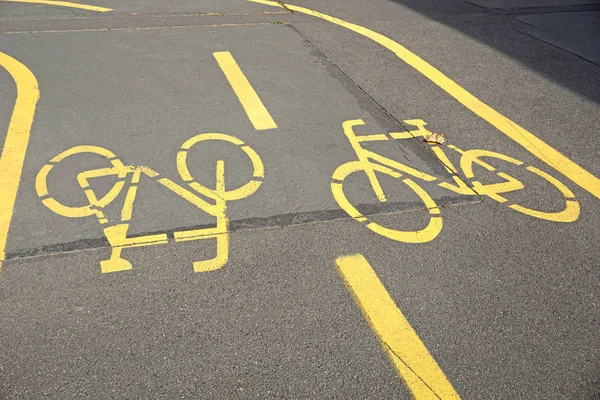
{"type": "Point", "coordinates": [128, 175]}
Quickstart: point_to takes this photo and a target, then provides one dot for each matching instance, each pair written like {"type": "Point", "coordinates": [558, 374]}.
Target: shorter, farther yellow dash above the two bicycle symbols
{"type": "Point", "coordinates": [257, 112]}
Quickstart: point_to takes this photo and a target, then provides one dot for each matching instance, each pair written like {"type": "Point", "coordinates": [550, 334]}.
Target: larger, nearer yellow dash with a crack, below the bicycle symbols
{"type": "Point", "coordinates": [409, 355]}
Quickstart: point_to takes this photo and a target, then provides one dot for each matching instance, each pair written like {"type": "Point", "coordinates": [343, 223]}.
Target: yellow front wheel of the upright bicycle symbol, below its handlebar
{"type": "Point", "coordinates": [427, 234]}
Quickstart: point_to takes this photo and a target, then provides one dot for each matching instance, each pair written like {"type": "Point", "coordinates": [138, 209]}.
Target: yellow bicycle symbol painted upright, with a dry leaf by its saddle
{"type": "Point", "coordinates": [370, 162]}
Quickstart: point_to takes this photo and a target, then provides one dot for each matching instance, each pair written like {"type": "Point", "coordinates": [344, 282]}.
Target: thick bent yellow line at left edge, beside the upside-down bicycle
{"type": "Point", "coordinates": [15, 144]}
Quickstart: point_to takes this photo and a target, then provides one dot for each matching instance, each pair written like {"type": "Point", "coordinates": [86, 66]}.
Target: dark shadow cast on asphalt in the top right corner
{"type": "Point", "coordinates": [567, 31]}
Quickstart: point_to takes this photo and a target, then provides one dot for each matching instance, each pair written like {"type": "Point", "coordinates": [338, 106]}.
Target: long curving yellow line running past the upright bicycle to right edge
{"type": "Point", "coordinates": [528, 140]}
